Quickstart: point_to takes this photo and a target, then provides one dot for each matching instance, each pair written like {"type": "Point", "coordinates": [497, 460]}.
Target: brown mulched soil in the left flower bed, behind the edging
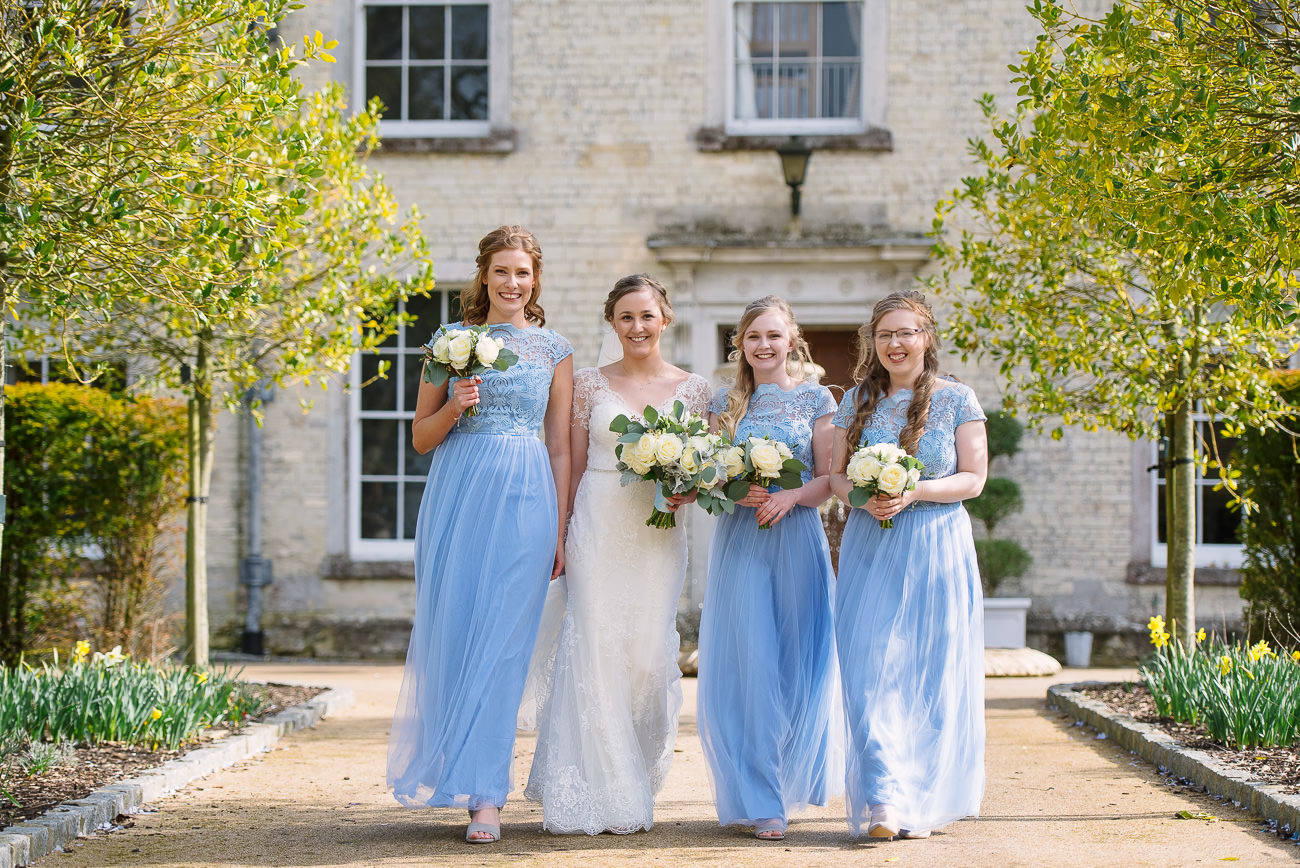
{"type": "Point", "coordinates": [98, 766]}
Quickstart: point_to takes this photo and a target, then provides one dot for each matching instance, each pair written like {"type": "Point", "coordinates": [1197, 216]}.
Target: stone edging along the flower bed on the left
{"type": "Point", "coordinates": [31, 840]}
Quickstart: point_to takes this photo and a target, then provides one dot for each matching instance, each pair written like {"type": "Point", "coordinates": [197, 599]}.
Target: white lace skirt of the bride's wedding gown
{"type": "Point", "coordinates": [608, 680]}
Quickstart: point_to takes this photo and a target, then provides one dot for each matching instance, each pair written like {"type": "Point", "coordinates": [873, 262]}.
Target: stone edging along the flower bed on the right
{"type": "Point", "coordinates": [1158, 748]}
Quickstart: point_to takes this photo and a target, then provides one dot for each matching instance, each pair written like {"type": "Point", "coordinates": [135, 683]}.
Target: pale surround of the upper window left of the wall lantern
{"type": "Point", "coordinates": [499, 73]}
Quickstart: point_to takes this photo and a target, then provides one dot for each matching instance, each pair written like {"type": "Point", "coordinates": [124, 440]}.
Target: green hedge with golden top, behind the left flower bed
{"type": "Point", "coordinates": [85, 470]}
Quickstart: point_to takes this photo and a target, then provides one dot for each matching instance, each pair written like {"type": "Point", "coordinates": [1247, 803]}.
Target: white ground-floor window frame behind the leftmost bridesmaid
{"type": "Point", "coordinates": [359, 548]}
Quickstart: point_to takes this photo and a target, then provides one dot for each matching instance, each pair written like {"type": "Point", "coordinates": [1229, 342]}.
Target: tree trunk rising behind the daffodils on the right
{"type": "Point", "coordinates": [1181, 527]}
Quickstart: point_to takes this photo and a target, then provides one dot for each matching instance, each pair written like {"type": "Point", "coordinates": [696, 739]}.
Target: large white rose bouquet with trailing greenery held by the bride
{"type": "Point", "coordinates": [677, 452]}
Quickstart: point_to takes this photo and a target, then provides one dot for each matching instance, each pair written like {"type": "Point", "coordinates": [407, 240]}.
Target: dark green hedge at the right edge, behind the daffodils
{"type": "Point", "coordinates": [1271, 574]}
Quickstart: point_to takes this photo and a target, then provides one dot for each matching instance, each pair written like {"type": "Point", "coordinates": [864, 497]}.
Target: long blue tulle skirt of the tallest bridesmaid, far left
{"type": "Point", "coordinates": [486, 544]}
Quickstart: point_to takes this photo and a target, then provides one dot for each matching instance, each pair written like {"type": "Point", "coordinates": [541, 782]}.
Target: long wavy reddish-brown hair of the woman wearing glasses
{"type": "Point", "coordinates": [873, 377]}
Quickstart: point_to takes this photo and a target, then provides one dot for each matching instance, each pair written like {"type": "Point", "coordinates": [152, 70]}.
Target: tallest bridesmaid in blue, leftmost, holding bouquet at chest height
{"type": "Point", "coordinates": [487, 542]}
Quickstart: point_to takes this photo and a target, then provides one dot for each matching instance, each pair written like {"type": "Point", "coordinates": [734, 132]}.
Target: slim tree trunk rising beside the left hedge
{"type": "Point", "coordinates": [197, 518]}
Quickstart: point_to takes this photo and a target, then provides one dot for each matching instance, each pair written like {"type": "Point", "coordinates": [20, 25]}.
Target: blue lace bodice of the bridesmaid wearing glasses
{"type": "Point", "coordinates": [951, 406]}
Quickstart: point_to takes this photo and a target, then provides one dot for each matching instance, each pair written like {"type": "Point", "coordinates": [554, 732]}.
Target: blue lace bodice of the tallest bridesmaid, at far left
{"type": "Point", "coordinates": [514, 401]}
